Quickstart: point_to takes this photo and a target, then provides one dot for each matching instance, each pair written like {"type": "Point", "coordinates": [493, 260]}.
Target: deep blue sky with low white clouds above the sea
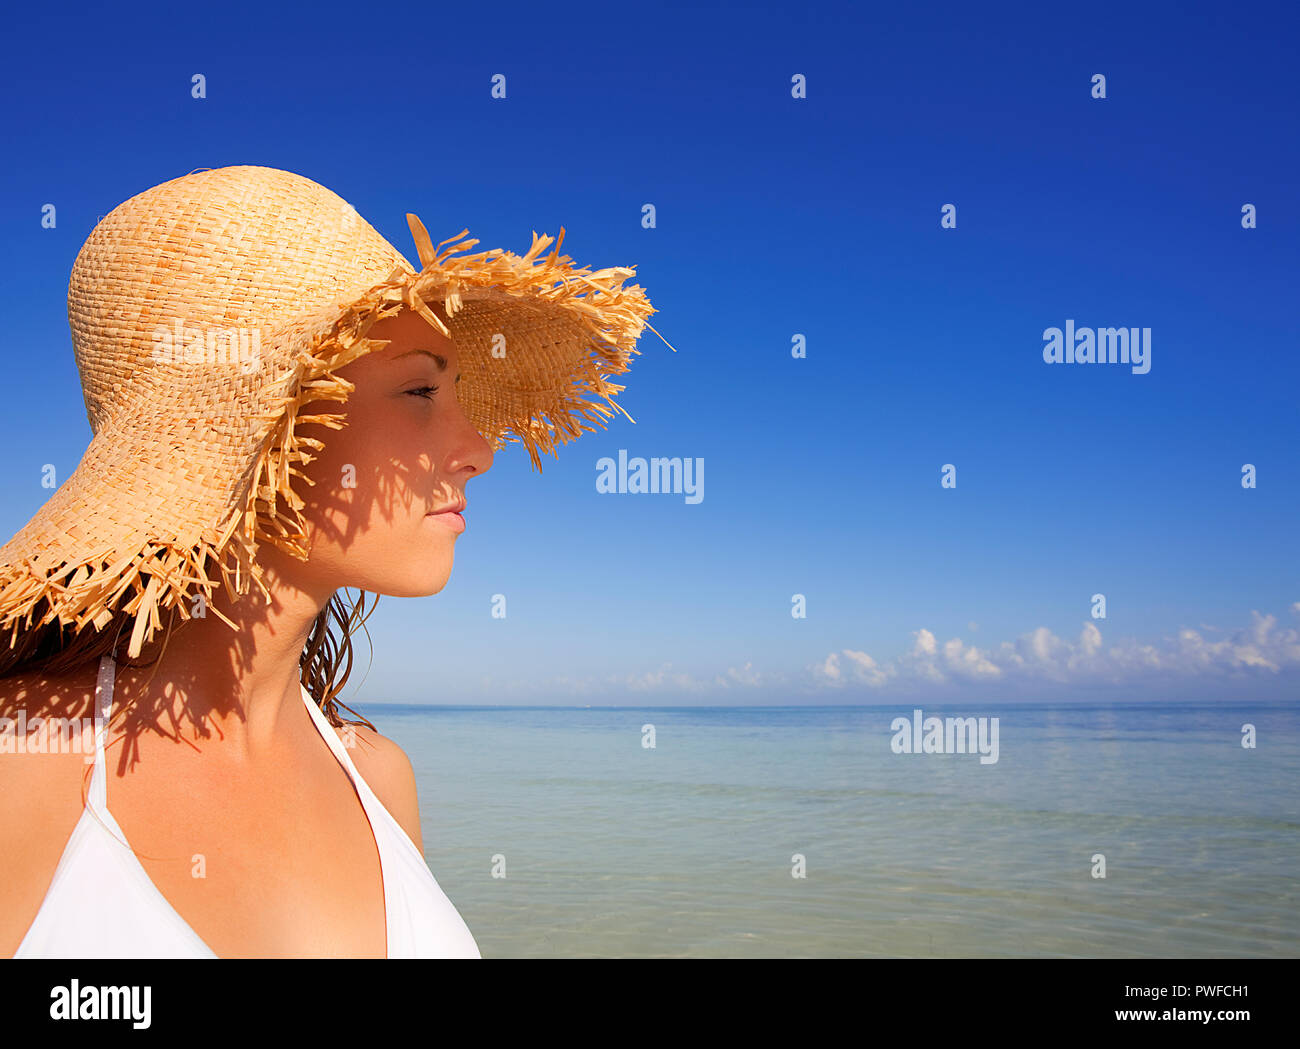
{"type": "Point", "coordinates": [777, 216]}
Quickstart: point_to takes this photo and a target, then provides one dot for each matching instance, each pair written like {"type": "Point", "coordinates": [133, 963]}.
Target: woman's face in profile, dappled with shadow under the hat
{"type": "Point", "coordinates": [406, 453]}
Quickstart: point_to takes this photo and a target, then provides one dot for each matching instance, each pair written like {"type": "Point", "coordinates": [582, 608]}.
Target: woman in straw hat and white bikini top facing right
{"type": "Point", "coordinates": [224, 809]}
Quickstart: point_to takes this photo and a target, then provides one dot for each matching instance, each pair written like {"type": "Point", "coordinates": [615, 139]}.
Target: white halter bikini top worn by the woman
{"type": "Point", "coordinates": [102, 904]}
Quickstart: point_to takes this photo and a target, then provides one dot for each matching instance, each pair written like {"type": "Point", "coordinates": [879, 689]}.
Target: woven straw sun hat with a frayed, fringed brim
{"type": "Point", "coordinates": [207, 311]}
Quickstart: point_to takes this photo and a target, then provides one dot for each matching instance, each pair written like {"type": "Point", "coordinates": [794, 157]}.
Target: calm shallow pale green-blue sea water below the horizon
{"type": "Point", "coordinates": [686, 851]}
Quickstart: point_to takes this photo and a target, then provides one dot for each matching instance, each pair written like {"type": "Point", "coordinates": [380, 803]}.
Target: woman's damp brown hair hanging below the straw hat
{"type": "Point", "coordinates": [55, 649]}
